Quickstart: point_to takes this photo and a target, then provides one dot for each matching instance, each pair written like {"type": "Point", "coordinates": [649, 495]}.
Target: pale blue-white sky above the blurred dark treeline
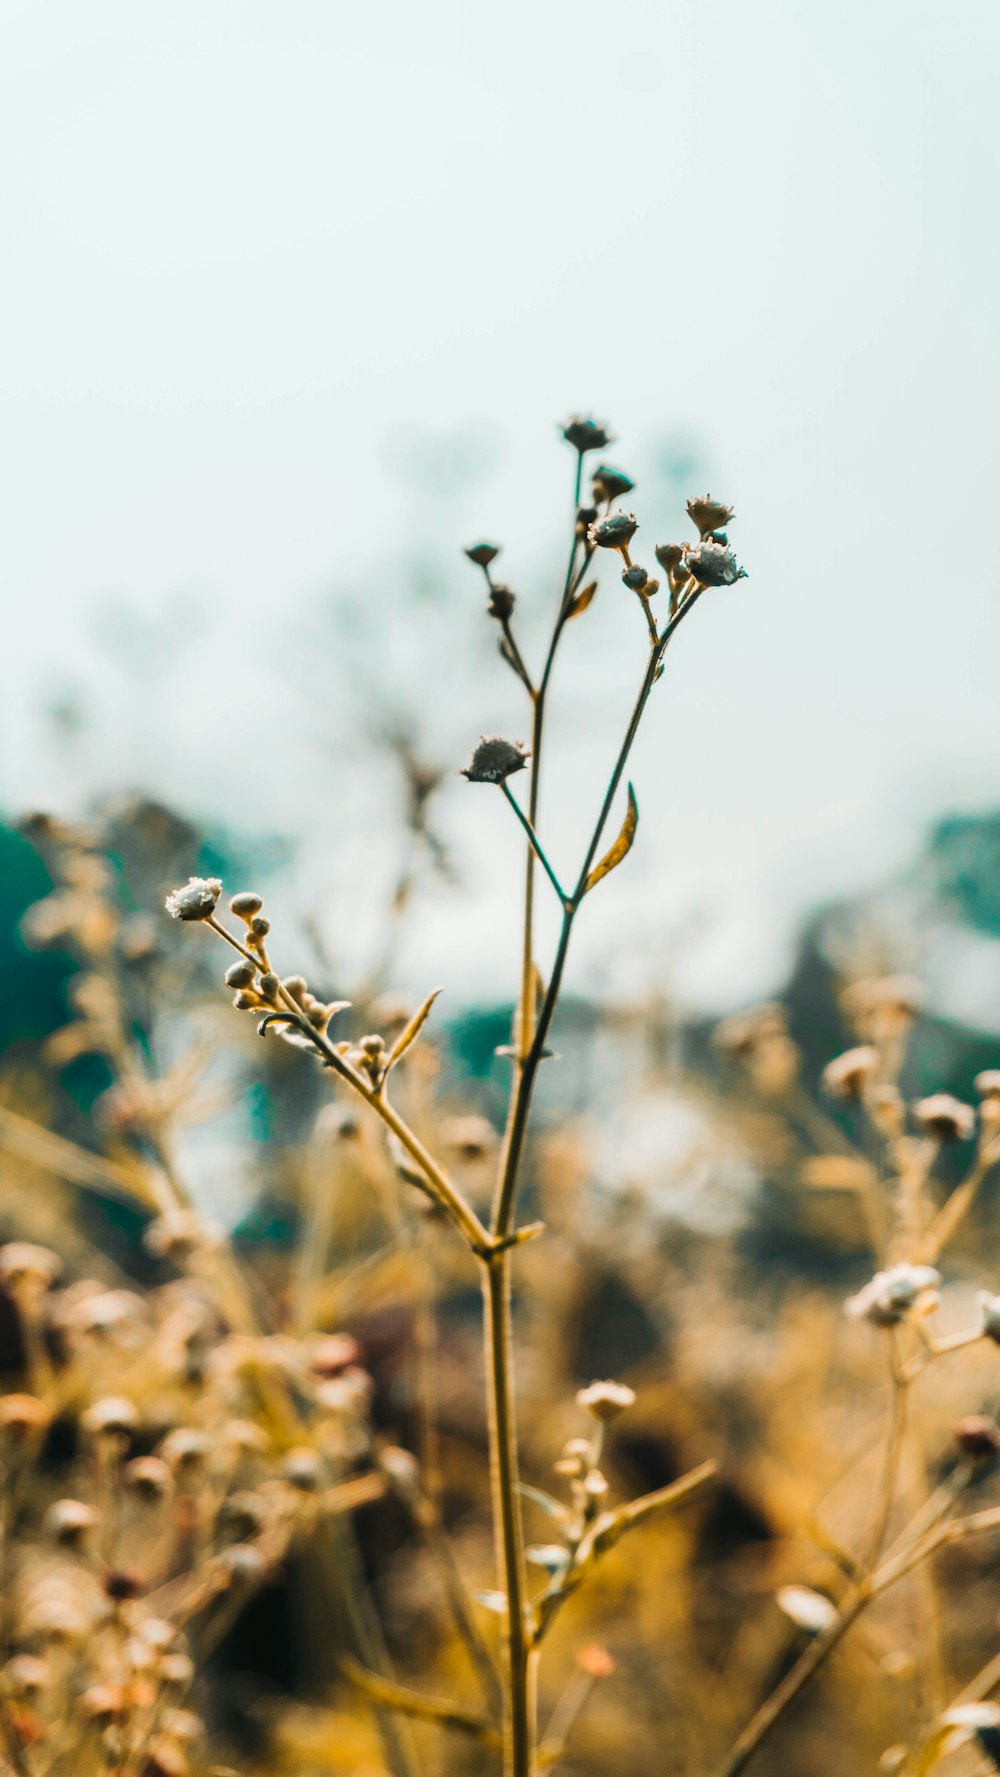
{"type": "Point", "coordinates": [257, 255]}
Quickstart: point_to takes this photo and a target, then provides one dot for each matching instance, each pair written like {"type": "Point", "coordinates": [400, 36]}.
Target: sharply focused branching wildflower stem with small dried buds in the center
{"type": "Point", "coordinates": [289, 1010]}
